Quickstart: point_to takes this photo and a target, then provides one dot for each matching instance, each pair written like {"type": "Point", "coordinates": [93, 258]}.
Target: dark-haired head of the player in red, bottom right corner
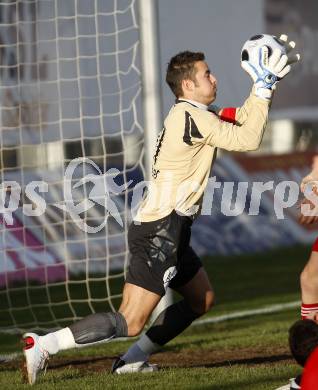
{"type": "Point", "coordinates": [303, 339]}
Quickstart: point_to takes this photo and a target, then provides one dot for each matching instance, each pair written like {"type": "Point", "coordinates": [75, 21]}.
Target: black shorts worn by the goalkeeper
{"type": "Point", "coordinates": [161, 254]}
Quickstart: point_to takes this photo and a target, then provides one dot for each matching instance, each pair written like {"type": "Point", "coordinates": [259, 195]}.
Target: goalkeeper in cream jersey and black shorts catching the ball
{"type": "Point", "coordinates": [159, 238]}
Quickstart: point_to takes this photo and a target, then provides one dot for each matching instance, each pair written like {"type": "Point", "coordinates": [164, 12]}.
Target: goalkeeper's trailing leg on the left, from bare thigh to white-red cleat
{"type": "Point", "coordinates": [135, 309]}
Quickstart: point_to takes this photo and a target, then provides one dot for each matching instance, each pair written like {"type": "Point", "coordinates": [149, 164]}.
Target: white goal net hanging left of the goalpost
{"type": "Point", "coordinates": [71, 149]}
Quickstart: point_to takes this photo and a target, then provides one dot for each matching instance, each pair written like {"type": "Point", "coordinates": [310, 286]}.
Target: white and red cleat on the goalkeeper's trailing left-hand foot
{"type": "Point", "coordinates": [35, 356]}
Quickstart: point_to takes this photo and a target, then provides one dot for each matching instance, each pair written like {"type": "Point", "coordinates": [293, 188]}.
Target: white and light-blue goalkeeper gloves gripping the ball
{"type": "Point", "coordinates": [272, 69]}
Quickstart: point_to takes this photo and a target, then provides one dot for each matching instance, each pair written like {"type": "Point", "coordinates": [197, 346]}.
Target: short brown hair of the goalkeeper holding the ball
{"type": "Point", "coordinates": [181, 67]}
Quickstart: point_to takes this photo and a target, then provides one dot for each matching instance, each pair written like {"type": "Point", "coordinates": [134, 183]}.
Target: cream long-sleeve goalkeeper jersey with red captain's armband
{"type": "Point", "coordinates": [186, 148]}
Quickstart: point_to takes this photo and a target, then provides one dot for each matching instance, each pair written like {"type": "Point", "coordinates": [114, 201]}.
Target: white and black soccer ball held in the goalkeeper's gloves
{"type": "Point", "coordinates": [251, 48]}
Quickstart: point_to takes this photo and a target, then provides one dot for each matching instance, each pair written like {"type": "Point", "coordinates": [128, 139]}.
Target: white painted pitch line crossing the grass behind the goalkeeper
{"type": "Point", "coordinates": [210, 320]}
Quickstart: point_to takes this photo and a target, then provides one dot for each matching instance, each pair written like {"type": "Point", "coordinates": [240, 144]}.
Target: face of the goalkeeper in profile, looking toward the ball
{"type": "Point", "coordinates": [205, 84]}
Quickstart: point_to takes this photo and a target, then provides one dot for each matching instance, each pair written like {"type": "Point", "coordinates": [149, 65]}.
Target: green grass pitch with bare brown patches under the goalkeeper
{"type": "Point", "coordinates": [246, 353]}
